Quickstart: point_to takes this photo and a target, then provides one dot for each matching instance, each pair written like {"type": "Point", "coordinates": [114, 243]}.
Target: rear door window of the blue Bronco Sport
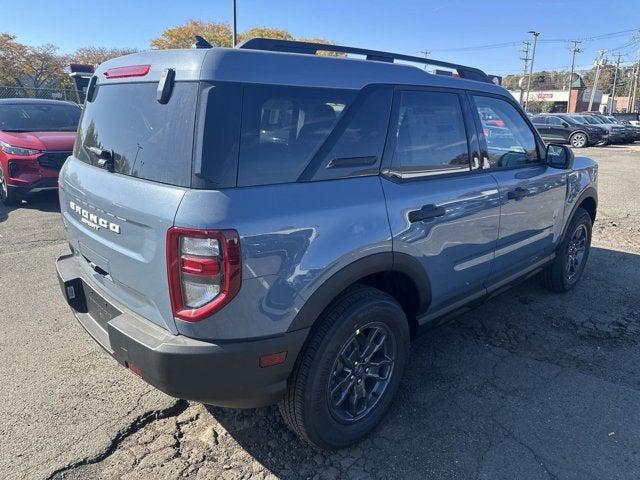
{"type": "Point", "coordinates": [430, 134]}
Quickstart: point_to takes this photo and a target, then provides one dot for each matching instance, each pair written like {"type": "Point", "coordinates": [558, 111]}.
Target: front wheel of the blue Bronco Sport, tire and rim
{"type": "Point", "coordinates": [564, 272]}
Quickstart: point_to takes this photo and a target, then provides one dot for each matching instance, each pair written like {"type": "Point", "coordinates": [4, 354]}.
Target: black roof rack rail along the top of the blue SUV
{"type": "Point", "coordinates": [310, 48]}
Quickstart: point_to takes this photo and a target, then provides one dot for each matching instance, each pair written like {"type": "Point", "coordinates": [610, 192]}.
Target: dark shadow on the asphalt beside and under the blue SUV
{"type": "Point", "coordinates": [529, 385]}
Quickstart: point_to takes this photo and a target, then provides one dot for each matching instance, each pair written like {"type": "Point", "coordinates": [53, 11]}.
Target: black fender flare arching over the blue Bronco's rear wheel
{"type": "Point", "coordinates": [357, 270]}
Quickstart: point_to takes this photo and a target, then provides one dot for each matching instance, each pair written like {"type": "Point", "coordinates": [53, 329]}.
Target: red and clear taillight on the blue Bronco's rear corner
{"type": "Point", "coordinates": [205, 271]}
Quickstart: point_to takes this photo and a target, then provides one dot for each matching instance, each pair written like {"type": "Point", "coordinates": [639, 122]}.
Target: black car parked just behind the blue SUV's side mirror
{"type": "Point", "coordinates": [560, 128]}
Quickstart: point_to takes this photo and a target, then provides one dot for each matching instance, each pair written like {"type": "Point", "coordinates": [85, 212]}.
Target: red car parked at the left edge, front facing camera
{"type": "Point", "coordinates": [36, 137]}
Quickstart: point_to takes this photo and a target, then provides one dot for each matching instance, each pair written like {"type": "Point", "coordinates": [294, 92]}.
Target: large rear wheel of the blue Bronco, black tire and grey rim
{"type": "Point", "coordinates": [309, 408]}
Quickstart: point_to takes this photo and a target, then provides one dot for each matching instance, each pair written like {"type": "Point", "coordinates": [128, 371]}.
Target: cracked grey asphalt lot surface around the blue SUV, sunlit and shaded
{"type": "Point", "coordinates": [531, 385]}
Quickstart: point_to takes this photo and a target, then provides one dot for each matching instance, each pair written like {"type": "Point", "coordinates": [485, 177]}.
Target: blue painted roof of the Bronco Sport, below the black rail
{"type": "Point", "coordinates": [279, 68]}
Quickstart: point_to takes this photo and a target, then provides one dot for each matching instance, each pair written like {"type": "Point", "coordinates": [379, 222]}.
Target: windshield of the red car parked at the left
{"type": "Point", "coordinates": [44, 117]}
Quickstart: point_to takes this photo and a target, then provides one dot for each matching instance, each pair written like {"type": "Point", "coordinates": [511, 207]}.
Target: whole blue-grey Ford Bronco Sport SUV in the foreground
{"type": "Point", "coordinates": [263, 225]}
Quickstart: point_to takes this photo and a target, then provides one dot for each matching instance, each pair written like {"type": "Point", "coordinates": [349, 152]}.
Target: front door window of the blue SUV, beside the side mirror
{"type": "Point", "coordinates": [510, 140]}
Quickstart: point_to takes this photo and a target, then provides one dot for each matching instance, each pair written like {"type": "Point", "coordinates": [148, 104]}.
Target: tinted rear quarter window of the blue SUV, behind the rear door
{"type": "Point", "coordinates": [283, 127]}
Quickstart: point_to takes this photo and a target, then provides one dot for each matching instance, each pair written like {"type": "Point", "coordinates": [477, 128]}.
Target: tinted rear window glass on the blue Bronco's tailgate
{"type": "Point", "coordinates": [149, 140]}
